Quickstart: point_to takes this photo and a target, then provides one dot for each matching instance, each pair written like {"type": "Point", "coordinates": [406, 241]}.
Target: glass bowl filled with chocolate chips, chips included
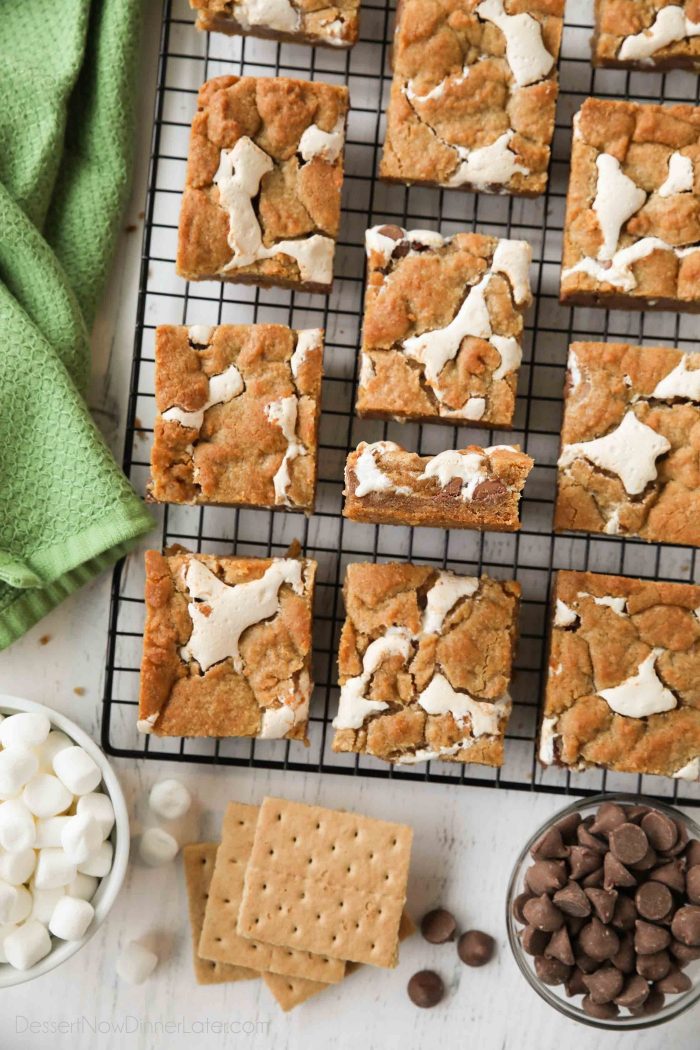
{"type": "Point", "coordinates": [604, 912]}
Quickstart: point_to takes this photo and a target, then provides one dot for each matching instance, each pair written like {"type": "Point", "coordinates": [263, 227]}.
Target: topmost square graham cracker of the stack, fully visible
{"type": "Point", "coordinates": [326, 881]}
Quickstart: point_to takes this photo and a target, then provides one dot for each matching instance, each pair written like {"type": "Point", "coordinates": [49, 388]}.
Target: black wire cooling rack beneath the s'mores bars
{"type": "Point", "coordinates": [187, 59]}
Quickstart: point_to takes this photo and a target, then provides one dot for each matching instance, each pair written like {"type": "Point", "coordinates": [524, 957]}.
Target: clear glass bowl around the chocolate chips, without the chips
{"type": "Point", "coordinates": [556, 995]}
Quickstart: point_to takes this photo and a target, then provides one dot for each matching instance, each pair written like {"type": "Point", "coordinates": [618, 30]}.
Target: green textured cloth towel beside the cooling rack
{"type": "Point", "coordinates": [68, 72]}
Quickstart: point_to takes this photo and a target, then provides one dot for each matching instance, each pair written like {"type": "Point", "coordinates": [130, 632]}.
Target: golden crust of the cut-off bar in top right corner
{"type": "Point", "coordinates": [617, 20]}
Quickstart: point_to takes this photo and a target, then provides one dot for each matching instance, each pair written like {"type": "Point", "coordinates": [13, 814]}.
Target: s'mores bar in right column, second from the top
{"type": "Point", "coordinates": [632, 229]}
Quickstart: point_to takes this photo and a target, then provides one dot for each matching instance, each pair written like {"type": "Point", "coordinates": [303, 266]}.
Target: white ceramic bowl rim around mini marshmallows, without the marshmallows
{"type": "Point", "coordinates": [112, 884]}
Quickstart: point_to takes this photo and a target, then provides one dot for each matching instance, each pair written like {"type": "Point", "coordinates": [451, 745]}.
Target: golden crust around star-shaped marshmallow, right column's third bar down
{"type": "Point", "coordinates": [617, 379]}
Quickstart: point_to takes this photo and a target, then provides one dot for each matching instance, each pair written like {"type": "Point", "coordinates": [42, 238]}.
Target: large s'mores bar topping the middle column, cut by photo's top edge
{"type": "Point", "coordinates": [474, 95]}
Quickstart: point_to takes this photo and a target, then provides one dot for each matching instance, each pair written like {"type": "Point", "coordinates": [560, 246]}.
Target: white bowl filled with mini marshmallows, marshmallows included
{"type": "Point", "coordinates": [65, 839]}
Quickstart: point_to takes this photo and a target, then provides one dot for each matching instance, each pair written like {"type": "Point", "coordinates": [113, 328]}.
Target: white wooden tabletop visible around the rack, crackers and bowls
{"type": "Point", "coordinates": [466, 842]}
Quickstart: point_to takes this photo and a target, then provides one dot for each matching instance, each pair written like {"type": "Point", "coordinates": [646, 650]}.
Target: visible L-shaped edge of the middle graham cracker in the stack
{"type": "Point", "coordinates": [220, 940]}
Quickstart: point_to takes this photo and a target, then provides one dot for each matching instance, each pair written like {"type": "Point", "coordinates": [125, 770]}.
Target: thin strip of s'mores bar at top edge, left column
{"type": "Point", "coordinates": [305, 23]}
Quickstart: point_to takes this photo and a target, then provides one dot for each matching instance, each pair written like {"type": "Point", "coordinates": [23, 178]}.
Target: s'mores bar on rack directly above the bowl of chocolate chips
{"type": "Point", "coordinates": [624, 671]}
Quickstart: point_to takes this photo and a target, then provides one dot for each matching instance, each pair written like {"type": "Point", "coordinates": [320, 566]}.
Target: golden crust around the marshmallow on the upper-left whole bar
{"type": "Point", "coordinates": [296, 199]}
